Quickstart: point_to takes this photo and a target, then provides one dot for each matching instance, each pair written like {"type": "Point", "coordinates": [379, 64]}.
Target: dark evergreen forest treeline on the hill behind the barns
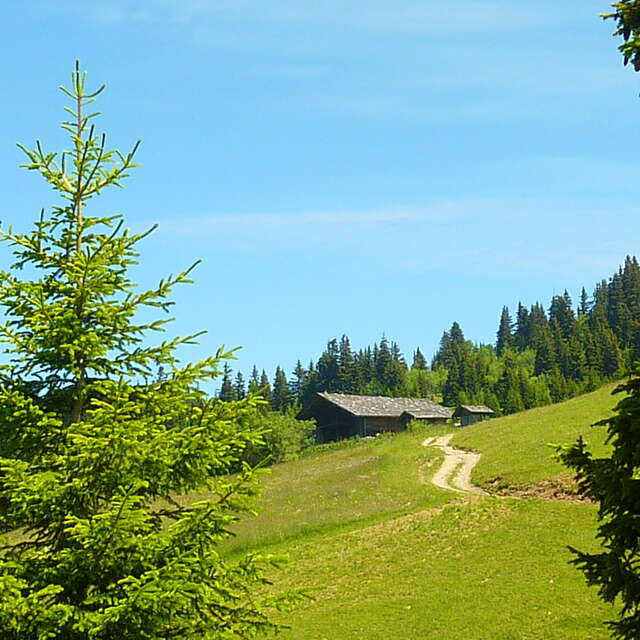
{"type": "Point", "coordinates": [540, 356]}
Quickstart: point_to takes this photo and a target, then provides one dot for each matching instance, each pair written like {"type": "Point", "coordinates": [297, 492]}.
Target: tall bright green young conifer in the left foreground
{"type": "Point", "coordinates": [99, 539]}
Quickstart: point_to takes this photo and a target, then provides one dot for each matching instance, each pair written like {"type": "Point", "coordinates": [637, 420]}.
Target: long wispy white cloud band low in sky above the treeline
{"type": "Point", "coordinates": [491, 235]}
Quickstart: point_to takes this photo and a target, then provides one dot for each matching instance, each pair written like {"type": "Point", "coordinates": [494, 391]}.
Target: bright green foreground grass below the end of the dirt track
{"type": "Point", "coordinates": [494, 569]}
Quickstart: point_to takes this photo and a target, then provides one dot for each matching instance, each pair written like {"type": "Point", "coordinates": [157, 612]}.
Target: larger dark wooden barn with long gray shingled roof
{"type": "Point", "coordinates": [340, 416]}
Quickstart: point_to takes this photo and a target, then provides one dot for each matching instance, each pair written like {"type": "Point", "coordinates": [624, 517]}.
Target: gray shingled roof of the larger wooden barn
{"type": "Point", "coordinates": [372, 406]}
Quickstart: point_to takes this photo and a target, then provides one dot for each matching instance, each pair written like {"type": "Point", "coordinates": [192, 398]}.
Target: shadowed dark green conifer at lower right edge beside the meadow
{"type": "Point", "coordinates": [614, 485]}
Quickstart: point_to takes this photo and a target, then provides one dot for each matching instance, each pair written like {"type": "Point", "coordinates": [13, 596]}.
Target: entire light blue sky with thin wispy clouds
{"type": "Point", "coordinates": [344, 167]}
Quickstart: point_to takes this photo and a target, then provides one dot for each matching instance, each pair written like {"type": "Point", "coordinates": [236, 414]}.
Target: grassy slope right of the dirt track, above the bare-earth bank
{"type": "Point", "coordinates": [515, 449]}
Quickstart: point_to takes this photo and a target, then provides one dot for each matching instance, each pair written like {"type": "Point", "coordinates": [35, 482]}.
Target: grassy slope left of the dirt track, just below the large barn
{"type": "Point", "coordinates": [356, 483]}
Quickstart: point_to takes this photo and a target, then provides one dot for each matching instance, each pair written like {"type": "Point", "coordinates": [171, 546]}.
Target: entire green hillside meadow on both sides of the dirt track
{"type": "Point", "coordinates": [386, 555]}
